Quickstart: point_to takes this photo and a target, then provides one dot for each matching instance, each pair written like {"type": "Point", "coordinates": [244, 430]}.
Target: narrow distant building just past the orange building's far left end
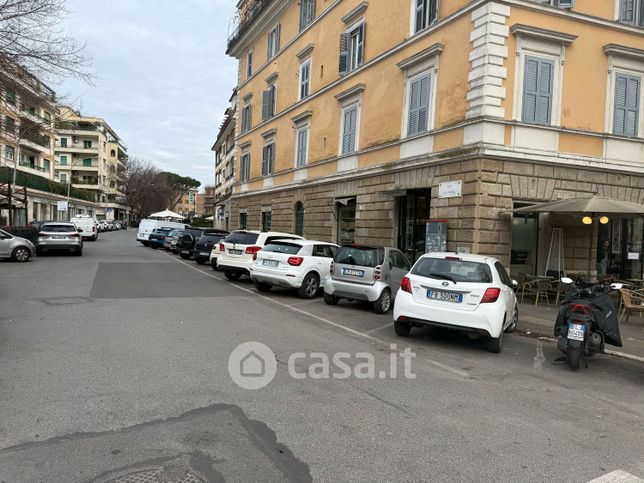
{"type": "Point", "coordinates": [225, 151]}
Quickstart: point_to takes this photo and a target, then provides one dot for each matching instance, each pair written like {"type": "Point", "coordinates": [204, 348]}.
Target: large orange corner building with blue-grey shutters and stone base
{"type": "Point", "coordinates": [362, 120]}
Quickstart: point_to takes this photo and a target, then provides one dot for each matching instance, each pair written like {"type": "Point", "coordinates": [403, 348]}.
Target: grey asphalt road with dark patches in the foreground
{"type": "Point", "coordinates": [116, 364]}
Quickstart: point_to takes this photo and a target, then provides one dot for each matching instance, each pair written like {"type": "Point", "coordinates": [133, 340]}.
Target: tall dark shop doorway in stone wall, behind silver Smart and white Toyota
{"type": "Point", "coordinates": [413, 215]}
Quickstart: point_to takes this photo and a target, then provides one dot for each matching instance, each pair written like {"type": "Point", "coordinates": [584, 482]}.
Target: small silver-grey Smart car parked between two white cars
{"type": "Point", "coordinates": [366, 274]}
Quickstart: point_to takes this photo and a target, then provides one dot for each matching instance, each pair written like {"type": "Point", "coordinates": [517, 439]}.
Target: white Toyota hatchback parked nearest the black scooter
{"type": "Point", "coordinates": [470, 293]}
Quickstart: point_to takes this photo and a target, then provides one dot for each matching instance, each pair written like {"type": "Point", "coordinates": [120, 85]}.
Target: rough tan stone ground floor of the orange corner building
{"type": "Point", "coordinates": [390, 207]}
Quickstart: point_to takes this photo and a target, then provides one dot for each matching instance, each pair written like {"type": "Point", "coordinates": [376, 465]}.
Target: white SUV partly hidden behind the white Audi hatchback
{"type": "Point", "coordinates": [238, 248]}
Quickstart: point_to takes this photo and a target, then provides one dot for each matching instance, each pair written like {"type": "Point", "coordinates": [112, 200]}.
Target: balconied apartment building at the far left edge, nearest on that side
{"type": "Point", "coordinates": [27, 125]}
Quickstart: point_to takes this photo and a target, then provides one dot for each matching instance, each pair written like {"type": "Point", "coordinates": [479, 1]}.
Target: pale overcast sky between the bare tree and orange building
{"type": "Point", "coordinates": [163, 78]}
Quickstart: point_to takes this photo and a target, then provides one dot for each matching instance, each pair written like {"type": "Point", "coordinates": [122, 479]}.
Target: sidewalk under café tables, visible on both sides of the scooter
{"type": "Point", "coordinates": [539, 321]}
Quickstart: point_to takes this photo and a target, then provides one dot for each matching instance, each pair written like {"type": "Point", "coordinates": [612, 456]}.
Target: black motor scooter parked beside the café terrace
{"type": "Point", "coordinates": [587, 320]}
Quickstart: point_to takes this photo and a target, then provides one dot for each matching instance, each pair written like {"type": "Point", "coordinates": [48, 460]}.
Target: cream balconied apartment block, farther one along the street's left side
{"type": "Point", "coordinates": [92, 157]}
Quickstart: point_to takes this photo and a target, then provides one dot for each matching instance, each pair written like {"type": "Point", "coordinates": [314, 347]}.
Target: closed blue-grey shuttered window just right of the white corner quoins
{"type": "Point", "coordinates": [537, 90]}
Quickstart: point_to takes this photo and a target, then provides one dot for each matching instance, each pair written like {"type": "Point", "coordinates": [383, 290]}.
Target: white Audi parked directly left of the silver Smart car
{"type": "Point", "coordinates": [300, 264]}
